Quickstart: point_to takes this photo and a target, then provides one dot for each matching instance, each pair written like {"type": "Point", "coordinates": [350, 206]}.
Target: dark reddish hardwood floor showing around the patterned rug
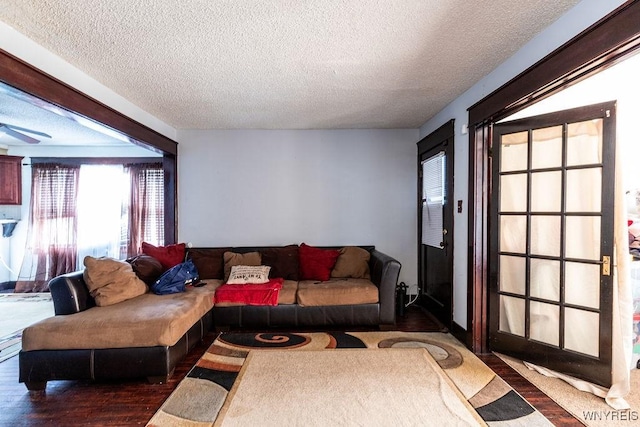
{"type": "Point", "coordinates": [84, 403]}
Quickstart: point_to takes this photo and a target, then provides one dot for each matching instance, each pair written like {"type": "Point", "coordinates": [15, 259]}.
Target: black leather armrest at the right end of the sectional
{"type": "Point", "coordinates": [384, 274]}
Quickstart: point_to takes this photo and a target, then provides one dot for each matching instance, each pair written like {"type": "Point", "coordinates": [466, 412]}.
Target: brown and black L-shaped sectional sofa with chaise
{"type": "Point", "coordinates": [146, 335]}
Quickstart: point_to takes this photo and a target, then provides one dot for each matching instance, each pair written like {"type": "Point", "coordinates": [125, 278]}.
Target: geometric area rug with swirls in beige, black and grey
{"type": "Point", "coordinates": [208, 391]}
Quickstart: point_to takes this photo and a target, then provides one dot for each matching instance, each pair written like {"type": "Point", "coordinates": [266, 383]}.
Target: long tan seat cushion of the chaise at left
{"type": "Point", "coordinates": [145, 321]}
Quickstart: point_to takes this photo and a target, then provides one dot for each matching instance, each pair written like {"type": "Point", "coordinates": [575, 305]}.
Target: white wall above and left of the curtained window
{"type": "Point", "coordinates": [12, 248]}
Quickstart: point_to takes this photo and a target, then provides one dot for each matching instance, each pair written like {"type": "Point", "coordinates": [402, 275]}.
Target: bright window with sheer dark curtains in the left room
{"type": "Point", "coordinates": [89, 209]}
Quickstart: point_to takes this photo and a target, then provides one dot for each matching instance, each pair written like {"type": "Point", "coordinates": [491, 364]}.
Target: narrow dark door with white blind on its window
{"type": "Point", "coordinates": [435, 222]}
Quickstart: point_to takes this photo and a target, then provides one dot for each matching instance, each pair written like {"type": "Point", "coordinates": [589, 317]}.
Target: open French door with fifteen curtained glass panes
{"type": "Point", "coordinates": [552, 240]}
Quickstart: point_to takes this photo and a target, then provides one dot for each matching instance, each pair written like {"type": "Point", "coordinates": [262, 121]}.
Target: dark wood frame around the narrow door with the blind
{"type": "Point", "coordinates": [444, 135]}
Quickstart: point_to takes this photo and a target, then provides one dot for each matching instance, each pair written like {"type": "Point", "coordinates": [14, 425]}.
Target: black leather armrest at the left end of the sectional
{"type": "Point", "coordinates": [70, 294]}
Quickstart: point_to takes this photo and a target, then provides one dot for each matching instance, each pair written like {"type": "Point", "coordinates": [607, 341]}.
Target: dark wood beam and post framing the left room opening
{"type": "Point", "coordinates": [41, 87]}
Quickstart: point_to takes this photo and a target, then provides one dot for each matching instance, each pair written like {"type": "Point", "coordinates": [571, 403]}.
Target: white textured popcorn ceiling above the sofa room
{"type": "Point", "coordinates": [285, 64]}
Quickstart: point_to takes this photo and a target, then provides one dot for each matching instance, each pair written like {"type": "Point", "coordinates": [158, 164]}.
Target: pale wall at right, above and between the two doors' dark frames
{"type": "Point", "coordinates": [569, 25]}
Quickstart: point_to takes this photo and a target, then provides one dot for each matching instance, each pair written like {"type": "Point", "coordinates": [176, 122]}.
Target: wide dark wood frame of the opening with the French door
{"type": "Point", "coordinates": [600, 46]}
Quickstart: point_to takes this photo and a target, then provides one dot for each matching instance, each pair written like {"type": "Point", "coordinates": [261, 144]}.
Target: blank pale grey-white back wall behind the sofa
{"type": "Point", "coordinates": [322, 187]}
